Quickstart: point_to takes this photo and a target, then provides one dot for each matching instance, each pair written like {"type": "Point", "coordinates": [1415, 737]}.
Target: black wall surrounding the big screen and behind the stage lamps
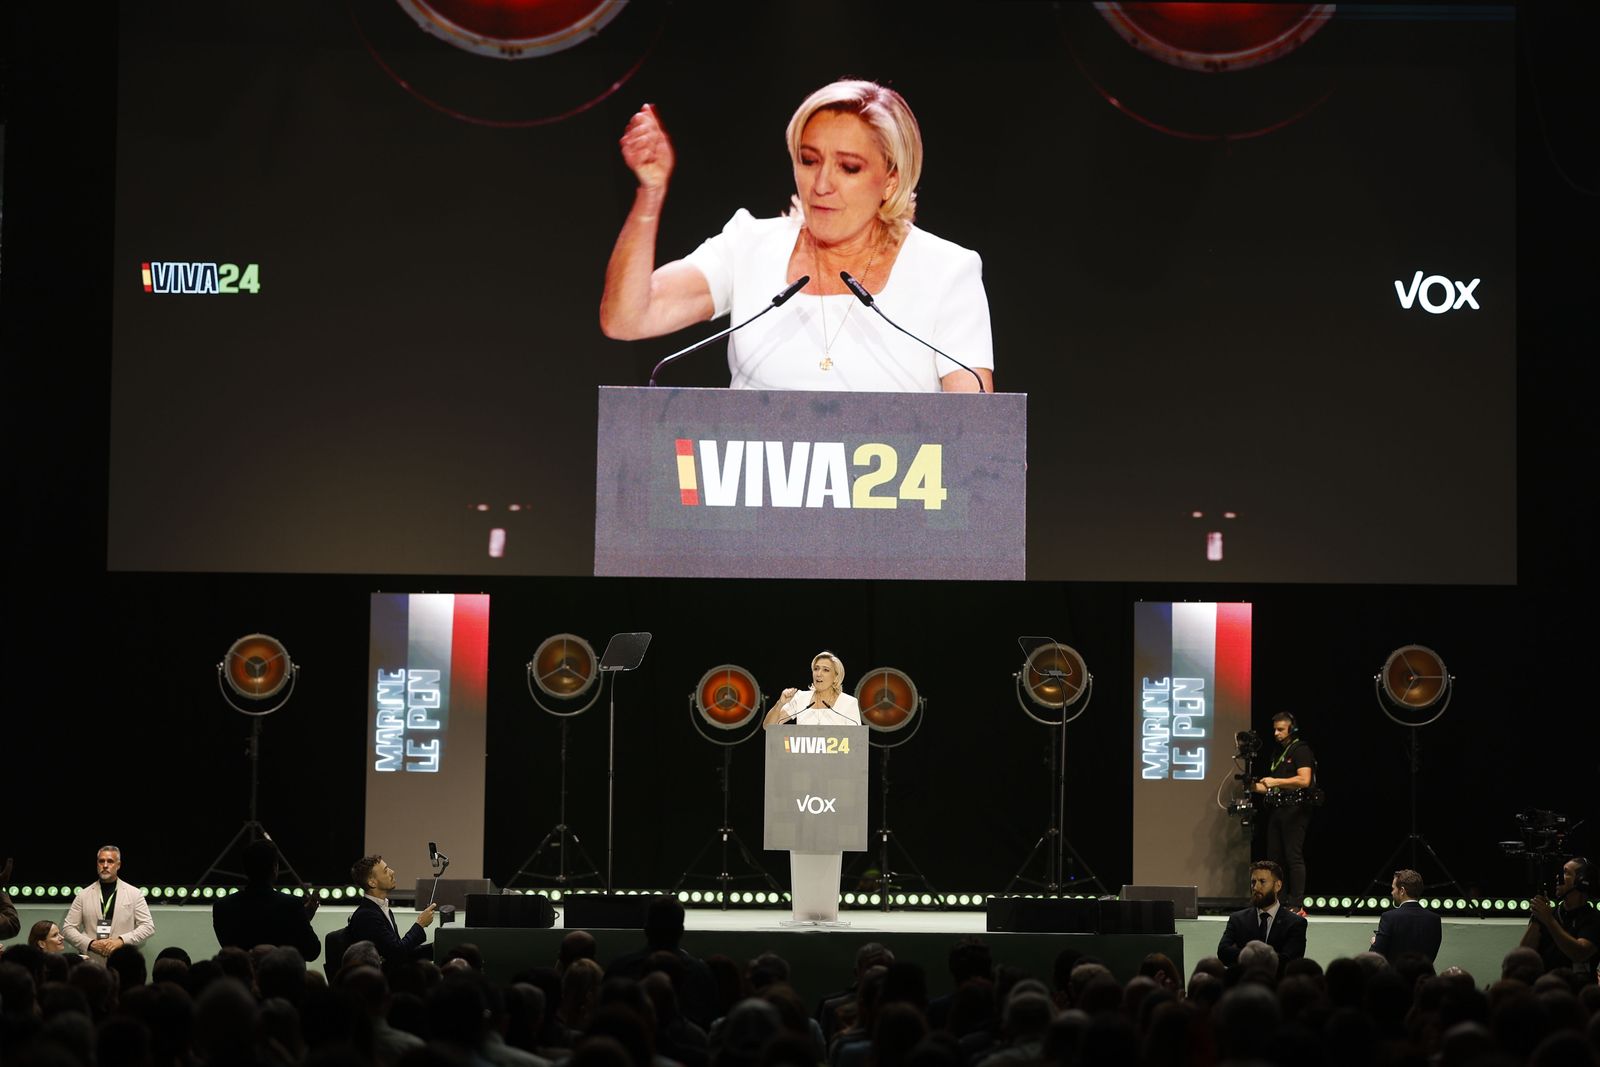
{"type": "Point", "coordinates": [113, 729]}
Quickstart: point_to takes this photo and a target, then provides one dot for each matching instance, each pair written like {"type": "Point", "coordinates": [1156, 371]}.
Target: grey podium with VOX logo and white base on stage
{"type": "Point", "coordinates": [817, 809]}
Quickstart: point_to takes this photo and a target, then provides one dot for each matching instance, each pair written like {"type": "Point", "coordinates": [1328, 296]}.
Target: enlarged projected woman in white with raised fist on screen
{"type": "Point", "coordinates": [857, 156]}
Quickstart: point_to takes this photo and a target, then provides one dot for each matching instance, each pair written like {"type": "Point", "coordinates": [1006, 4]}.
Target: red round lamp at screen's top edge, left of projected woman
{"type": "Point", "coordinates": [513, 30]}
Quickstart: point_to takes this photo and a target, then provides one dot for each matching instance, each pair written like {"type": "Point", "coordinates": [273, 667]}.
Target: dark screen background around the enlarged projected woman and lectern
{"type": "Point", "coordinates": [1217, 292]}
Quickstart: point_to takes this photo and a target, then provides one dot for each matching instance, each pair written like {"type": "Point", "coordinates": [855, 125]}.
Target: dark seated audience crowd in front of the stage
{"type": "Point", "coordinates": [650, 1004]}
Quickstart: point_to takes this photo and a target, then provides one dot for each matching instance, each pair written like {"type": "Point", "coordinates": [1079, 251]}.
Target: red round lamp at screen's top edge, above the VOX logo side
{"type": "Point", "coordinates": [1217, 38]}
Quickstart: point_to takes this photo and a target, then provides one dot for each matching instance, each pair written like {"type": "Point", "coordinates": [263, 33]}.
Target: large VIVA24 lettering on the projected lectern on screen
{"type": "Point", "coordinates": [807, 474]}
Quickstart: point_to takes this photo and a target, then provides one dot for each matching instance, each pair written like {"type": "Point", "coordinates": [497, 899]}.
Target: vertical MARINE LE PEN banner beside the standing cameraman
{"type": "Point", "coordinates": [1191, 697]}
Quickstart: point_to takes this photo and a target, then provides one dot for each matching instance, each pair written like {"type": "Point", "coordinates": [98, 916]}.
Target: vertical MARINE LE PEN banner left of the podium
{"type": "Point", "coordinates": [426, 716]}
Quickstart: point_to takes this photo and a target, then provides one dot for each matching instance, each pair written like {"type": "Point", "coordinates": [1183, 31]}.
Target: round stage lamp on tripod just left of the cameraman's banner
{"type": "Point", "coordinates": [1054, 677]}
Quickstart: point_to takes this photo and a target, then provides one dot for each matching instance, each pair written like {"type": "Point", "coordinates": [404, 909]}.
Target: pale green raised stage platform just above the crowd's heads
{"type": "Point", "coordinates": [822, 956]}
